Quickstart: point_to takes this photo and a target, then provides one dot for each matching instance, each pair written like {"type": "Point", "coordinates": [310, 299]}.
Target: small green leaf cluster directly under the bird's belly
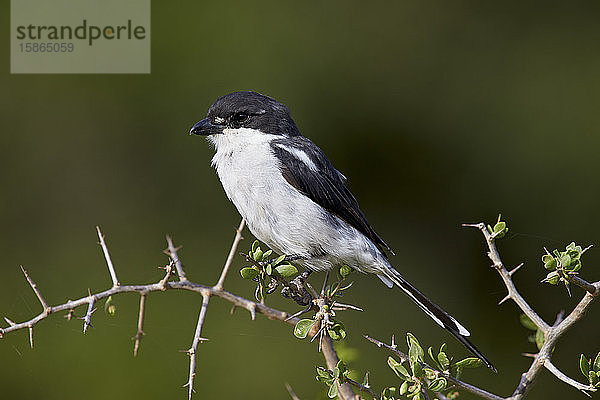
{"type": "Point", "coordinates": [263, 270]}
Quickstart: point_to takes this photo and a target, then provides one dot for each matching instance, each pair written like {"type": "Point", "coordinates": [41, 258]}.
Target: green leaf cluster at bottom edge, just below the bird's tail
{"type": "Point", "coordinates": [420, 376]}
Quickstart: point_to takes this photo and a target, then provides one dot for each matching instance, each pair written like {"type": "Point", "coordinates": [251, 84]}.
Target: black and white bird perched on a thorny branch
{"type": "Point", "coordinates": [295, 201]}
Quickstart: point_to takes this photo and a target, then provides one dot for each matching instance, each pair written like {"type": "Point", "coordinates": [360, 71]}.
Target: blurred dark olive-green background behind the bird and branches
{"type": "Point", "coordinates": [438, 112]}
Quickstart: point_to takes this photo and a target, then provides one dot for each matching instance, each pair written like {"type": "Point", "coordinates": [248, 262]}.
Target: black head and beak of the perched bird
{"type": "Point", "coordinates": [247, 110]}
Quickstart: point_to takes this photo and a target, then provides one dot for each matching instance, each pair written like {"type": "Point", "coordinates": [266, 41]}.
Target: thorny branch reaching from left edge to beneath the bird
{"type": "Point", "coordinates": [164, 284]}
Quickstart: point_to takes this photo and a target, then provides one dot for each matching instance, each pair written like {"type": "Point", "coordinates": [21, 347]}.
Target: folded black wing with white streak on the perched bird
{"type": "Point", "coordinates": [305, 166]}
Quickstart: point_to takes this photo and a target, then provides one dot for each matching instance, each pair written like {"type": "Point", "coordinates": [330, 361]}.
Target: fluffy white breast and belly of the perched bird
{"type": "Point", "coordinates": [278, 214]}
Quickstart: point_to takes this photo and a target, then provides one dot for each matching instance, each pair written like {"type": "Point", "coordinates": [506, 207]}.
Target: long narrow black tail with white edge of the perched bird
{"type": "Point", "coordinates": [440, 316]}
